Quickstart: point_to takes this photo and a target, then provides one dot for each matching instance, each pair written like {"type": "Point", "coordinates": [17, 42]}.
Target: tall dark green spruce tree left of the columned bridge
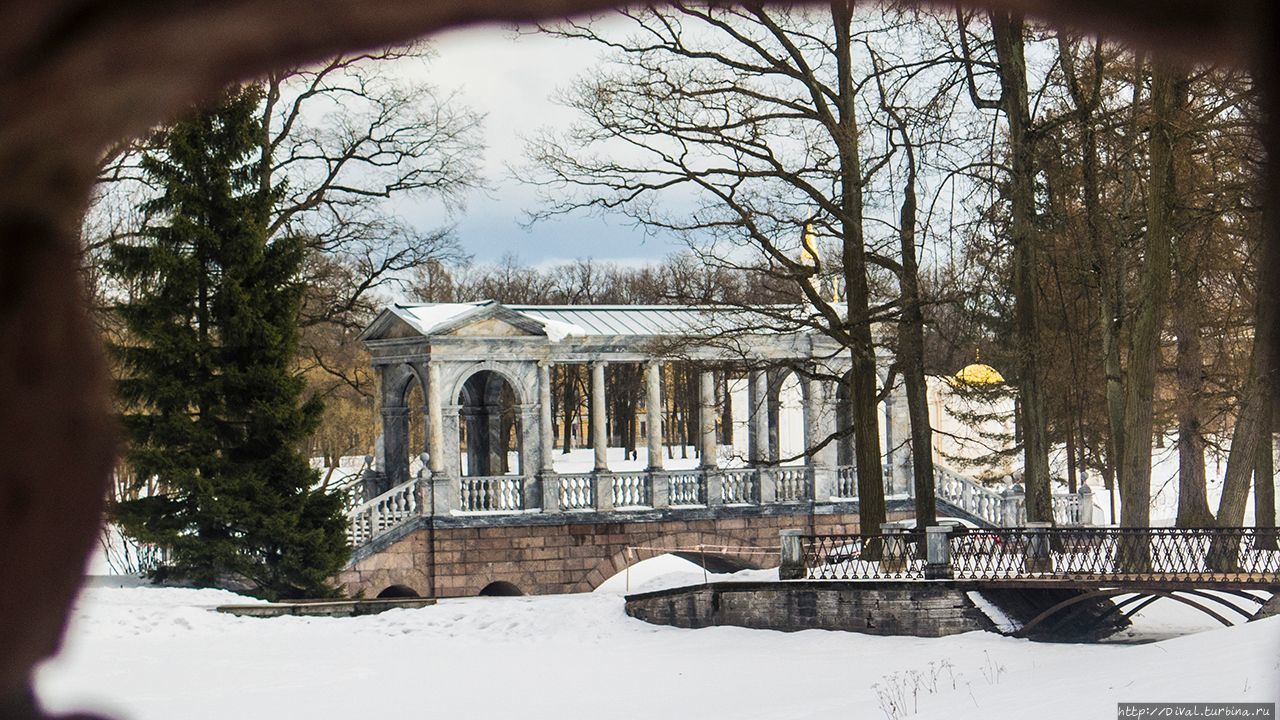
{"type": "Point", "coordinates": [213, 408]}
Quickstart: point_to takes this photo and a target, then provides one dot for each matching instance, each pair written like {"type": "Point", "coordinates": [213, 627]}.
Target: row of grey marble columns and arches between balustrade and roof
{"type": "Point", "coordinates": [452, 394]}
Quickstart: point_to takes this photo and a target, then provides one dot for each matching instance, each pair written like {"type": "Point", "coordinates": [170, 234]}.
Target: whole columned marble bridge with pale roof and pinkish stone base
{"type": "Point", "coordinates": [487, 513]}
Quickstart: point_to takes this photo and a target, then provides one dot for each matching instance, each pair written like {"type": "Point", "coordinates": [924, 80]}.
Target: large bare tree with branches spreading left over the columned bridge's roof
{"type": "Point", "coordinates": [737, 129]}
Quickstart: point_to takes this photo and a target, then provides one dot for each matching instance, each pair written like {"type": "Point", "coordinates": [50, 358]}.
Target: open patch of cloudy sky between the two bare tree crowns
{"type": "Point", "coordinates": [511, 79]}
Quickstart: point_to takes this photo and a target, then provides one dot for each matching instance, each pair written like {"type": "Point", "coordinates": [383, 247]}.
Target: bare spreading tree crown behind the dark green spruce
{"type": "Point", "coordinates": [340, 140]}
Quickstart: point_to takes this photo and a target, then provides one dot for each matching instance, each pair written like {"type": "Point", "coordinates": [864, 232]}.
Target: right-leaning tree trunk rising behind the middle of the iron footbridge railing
{"type": "Point", "coordinates": [1149, 323]}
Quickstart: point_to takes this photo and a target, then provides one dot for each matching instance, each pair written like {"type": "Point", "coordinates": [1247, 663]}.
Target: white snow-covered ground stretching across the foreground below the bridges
{"type": "Point", "coordinates": [162, 654]}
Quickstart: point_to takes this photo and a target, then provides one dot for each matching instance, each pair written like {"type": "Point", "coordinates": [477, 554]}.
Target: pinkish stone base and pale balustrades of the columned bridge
{"type": "Point", "coordinates": [447, 539]}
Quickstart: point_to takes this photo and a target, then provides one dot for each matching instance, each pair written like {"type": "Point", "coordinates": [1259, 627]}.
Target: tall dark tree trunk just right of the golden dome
{"type": "Point", "coordinates": [1008, 30]}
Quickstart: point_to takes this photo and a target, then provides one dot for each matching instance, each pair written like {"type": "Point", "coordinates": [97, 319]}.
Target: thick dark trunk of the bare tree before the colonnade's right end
{"type": "Point", "coordinates": [862, 350]}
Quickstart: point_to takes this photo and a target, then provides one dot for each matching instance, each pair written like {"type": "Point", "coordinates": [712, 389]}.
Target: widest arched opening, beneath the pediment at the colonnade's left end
{"type": "Point", "coordinates": [490, 429]}
